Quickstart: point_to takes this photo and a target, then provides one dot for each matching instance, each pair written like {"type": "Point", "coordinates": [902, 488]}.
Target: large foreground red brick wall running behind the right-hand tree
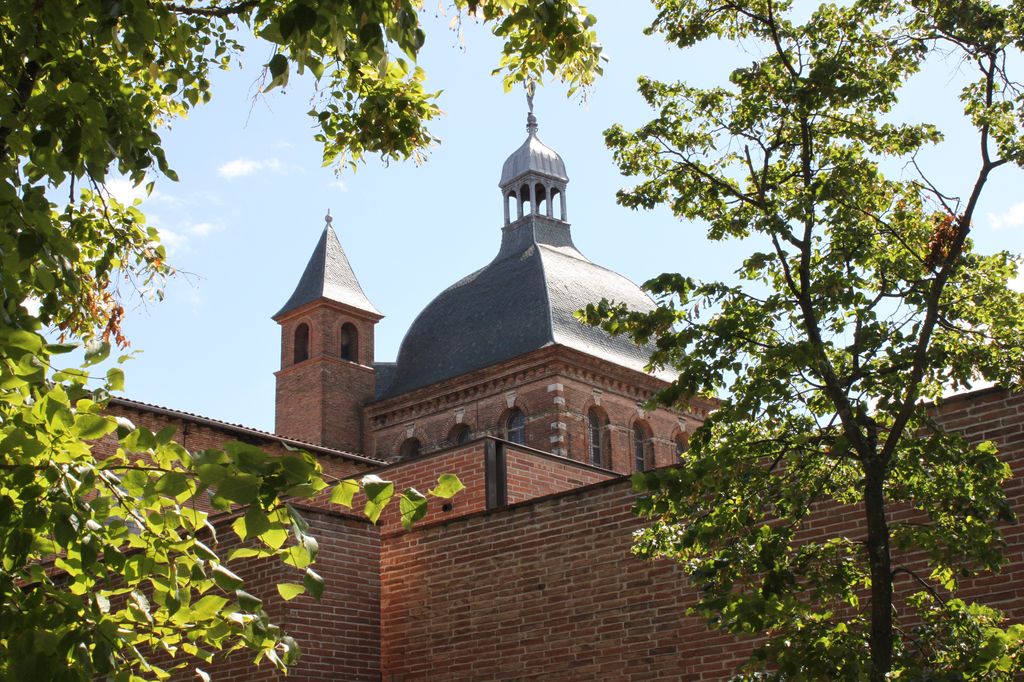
{"type": "Point", "coordinates": [548, 590]}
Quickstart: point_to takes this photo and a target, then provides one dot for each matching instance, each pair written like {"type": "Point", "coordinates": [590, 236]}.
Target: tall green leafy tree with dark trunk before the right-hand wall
{"type": "Point", "coordinates": [863, 300]}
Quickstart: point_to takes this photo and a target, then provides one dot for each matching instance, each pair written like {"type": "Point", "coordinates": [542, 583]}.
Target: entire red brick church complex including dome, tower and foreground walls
{"type": "Point", "coordinates": [527, 574]}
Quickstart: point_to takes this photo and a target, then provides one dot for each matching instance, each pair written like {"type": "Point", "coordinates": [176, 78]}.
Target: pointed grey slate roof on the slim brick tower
{"type": "Point", "coordinates": [329, 276]}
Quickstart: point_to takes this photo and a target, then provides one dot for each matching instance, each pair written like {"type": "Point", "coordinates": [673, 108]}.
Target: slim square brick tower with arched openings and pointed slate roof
{"type": "Point", "coordinates": [327, 353]}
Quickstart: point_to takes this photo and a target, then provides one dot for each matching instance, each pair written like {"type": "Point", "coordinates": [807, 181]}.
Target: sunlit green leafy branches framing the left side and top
{"type": "Point", "coordinates": [107, 562]}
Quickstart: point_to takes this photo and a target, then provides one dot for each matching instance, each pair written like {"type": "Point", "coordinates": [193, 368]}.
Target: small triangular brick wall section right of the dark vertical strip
{"type": "Point", "coordinates": [531, 476]}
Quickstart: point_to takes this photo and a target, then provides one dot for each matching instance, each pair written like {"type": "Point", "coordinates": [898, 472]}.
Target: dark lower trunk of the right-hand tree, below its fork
{"type": "Point", "coordinates": [881, 563]}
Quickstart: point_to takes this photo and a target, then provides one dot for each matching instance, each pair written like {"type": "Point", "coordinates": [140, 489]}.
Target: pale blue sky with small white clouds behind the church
{"type": "Point", "coordinates": [252, 196]}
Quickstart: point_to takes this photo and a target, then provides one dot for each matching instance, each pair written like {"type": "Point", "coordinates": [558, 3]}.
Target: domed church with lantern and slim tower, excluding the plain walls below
{"type": "Point", "coordinates": [498, 354]}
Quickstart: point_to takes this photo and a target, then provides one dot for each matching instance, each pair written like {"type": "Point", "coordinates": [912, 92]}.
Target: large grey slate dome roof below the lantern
{"type": "Point", "coordinates": [524, 301]}
